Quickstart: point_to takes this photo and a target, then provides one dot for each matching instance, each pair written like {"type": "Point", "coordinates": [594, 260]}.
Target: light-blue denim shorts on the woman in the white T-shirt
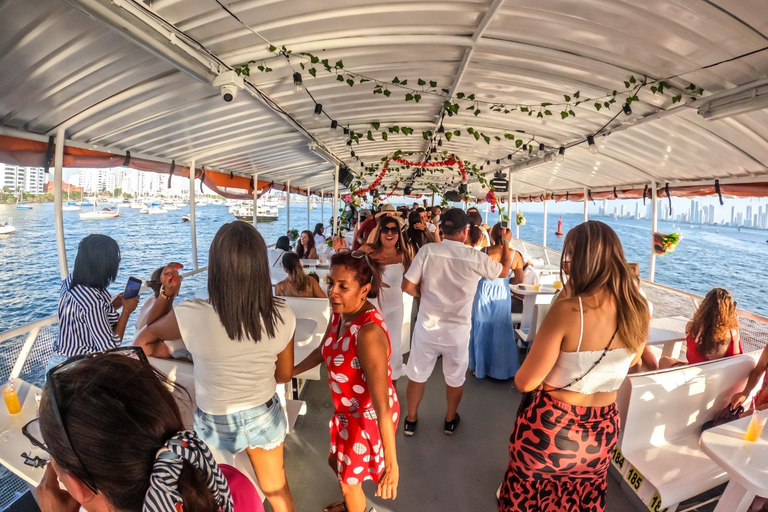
{"type": "Point", "coordinates": [263, 427]}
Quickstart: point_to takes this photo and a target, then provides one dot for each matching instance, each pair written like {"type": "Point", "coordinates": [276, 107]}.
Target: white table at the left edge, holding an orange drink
{"type": "Point", "coordinates": [13, 442]}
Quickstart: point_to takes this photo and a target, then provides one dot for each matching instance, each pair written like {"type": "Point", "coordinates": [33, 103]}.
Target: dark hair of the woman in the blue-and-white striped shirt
{"type": "Point", "coordinates": [97, 262]}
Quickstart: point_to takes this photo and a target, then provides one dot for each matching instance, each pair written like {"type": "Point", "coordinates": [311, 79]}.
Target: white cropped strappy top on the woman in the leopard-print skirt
{"type": "Point", "coordinates": [607, 376]}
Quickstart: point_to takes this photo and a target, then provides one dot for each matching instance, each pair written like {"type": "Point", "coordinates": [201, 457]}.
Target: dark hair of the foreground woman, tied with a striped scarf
{"type": "Point", "coordinates": [119, 412]}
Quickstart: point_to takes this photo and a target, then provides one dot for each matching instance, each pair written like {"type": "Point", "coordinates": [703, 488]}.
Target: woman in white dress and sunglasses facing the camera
{"type": "Point", "coordinates": [389, 251]}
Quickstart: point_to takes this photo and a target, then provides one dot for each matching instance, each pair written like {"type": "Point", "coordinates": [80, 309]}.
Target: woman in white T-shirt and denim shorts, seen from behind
{"type": "Point", "coordinates": [241, 339]}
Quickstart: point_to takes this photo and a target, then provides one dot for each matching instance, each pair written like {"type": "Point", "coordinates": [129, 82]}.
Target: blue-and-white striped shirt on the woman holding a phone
{"type": "Point", "coordinates": [86, 321]}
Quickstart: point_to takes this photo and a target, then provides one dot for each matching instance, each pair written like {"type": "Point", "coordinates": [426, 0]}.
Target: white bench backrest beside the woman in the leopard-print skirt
{"type": "Point", "coordinates": [657, 408]}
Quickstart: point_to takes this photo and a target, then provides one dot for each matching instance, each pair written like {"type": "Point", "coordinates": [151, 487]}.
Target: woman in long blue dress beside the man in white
{"type": "Point", "coordinates": [492, 347]}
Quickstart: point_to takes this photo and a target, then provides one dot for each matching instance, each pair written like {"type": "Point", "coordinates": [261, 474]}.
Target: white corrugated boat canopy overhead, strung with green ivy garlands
{"type": "Point", "coordinates": [130, 76]}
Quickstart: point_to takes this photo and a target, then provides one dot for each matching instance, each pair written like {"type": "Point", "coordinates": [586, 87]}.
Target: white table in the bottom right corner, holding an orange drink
{"type": "Point", "coordinates": [745, 462]}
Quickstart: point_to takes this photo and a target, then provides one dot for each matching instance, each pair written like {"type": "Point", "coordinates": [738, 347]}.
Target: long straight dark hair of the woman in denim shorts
{"type": "Point", "coordinates": [239, 284]}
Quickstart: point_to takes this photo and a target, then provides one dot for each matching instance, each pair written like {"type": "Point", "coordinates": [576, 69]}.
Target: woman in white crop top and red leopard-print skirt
{"type": "Point", "coordinates": [568, 422]}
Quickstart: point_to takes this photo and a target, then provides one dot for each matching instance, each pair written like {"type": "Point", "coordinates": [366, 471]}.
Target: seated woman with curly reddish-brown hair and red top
{"type": "Point", "coordinates": [713, 333]}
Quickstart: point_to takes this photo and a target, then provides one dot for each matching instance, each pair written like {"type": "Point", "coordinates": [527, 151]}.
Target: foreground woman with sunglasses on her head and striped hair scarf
{"type": "Point", "coordinates": [125, 447]}
